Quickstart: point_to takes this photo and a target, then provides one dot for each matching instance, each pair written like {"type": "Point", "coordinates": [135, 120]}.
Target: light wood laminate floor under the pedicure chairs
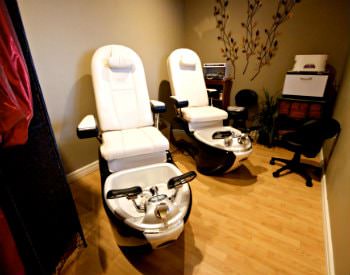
{"type": "Point", "coordinates": [244, 222]}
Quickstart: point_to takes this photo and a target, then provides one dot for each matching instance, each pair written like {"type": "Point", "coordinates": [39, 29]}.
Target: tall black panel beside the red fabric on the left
{"type": "Point", "coordinates": [34, 193]}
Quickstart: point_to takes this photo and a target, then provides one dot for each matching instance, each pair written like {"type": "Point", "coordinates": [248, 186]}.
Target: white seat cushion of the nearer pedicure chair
{"type": "Point", "coordinates": [132, 142]}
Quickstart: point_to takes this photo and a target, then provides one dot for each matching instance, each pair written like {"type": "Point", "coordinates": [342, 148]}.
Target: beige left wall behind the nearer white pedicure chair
{"type": "Point", "coordinates": [63, 36]}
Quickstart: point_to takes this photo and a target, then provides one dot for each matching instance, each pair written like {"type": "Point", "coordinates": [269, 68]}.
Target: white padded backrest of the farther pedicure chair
{"type": "Point", "coordinates": [186, 77]}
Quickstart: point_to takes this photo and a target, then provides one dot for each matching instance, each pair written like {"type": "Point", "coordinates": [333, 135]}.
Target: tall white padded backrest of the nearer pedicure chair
{"type": "Point", "coordinates": [120, 88]}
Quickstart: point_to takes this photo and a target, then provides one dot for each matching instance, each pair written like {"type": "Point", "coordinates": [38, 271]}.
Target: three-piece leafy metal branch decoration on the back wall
{"type": "Point", "coordinates": [253, 44]}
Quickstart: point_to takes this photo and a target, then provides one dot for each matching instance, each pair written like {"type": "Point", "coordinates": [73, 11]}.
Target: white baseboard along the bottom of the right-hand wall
{"type": "Point", "coordinates": [327, 226]}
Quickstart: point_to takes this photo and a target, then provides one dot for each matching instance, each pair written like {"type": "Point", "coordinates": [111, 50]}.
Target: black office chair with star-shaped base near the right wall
{"type": "Point", "coordinates": [306, 140]}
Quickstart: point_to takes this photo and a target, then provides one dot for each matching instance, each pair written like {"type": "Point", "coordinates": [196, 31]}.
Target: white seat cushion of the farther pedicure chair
{"type": "Point", "coordinates": [204, 113]}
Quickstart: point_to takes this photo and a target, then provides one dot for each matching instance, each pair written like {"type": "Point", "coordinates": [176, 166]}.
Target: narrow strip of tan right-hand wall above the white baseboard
{"type": "Point", "coordinates": [338, 181]}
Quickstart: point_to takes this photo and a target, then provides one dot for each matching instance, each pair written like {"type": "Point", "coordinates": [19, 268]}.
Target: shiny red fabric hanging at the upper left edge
{"type": "Point", "coordinates": [16, 107]}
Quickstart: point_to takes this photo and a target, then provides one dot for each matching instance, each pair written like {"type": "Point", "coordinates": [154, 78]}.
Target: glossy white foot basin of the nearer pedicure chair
{"type": "Point", "coordinates": [154, 229]}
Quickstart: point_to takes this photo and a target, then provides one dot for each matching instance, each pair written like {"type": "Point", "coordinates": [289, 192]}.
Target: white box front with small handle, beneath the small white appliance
{"type": "Point", "coordinates": [305, 85]}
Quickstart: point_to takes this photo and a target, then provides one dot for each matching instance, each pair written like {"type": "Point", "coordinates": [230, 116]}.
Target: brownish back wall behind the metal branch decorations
{"type": "Point", "coordinates": [317, 27]}
